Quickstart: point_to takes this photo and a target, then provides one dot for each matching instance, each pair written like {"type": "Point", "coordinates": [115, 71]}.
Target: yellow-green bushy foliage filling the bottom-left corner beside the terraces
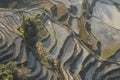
{"type": "Point", "coordinates": [10, 71]}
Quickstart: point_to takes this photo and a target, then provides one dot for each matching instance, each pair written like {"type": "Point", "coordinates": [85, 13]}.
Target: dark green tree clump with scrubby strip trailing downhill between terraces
{"type": "Point", "coordinates": [33, 31]}
